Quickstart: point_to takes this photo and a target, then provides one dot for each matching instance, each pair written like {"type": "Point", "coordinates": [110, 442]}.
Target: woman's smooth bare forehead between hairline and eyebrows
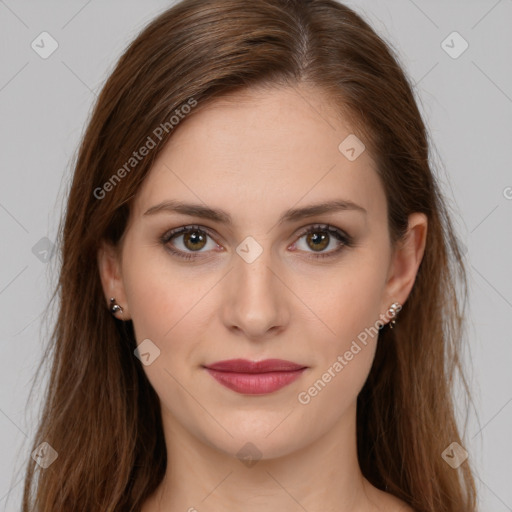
{"type": "Point", "coordinates": [261, 152]}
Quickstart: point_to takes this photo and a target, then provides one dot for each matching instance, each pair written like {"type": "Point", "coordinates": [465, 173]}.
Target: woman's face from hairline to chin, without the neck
{"type": "Point", "coordinates": [265, 285]}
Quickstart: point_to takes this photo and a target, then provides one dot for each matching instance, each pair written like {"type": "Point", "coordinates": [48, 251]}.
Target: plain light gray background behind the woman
{"type": "Point", "coordinates": [466, 102]}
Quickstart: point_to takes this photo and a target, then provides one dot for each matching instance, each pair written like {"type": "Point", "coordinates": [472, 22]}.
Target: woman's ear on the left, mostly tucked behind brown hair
{"type": "Point", "coordinates": [109, 266]}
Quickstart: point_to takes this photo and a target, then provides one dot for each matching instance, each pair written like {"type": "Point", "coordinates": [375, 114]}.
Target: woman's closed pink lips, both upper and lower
{"type": "Point", "coordinates": [255, 377]}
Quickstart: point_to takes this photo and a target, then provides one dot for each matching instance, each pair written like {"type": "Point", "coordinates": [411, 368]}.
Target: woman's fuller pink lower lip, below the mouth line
{"type": "Point", "coordinates": [255, 383]}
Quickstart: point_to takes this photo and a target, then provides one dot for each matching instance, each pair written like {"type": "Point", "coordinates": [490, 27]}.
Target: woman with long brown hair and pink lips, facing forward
{"type": "Point", "coordinates": [258, 304]}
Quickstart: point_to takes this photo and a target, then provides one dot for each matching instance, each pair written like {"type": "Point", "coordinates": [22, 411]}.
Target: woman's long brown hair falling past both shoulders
{"type": "Point", "coordinates": [100, 414]}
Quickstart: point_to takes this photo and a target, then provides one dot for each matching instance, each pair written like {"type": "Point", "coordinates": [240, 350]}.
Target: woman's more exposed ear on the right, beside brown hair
{"type": "Point", "coordinates": [406, 261]}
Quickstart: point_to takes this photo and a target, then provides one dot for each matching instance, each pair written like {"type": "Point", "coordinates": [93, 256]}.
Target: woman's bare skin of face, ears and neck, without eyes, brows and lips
{"type": "Point", "coordinates": [256, 155]}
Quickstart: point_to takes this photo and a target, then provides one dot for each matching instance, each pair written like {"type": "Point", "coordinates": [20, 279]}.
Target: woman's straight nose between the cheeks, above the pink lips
{"type": "Point", "coordinates": [256, 301]}
